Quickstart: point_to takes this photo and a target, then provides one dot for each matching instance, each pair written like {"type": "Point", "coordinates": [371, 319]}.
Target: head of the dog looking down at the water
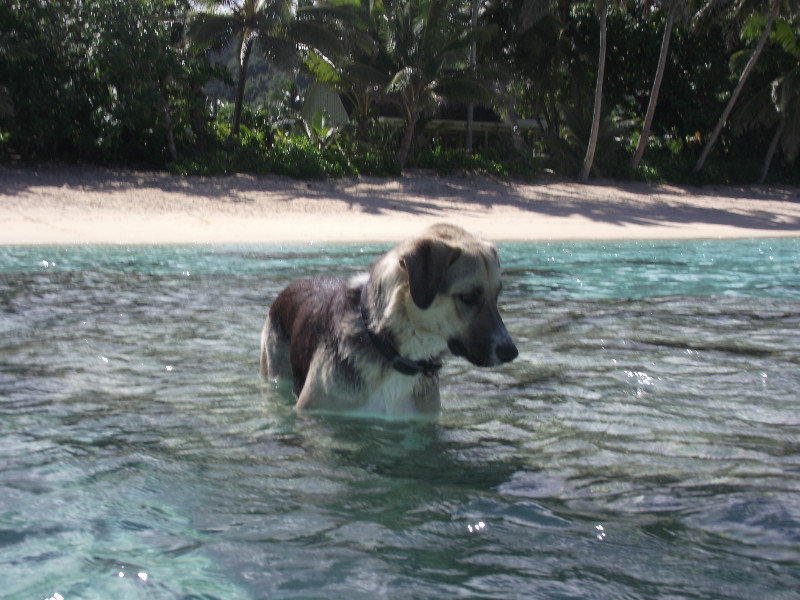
{"type": "Point", "coordinates": [453, 285]}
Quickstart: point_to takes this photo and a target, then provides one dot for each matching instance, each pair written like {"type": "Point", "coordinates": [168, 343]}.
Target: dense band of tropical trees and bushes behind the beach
{"type": "Point", "coordinates": [671, 90]}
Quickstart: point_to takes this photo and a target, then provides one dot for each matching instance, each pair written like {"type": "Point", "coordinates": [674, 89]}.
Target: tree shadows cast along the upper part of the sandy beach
{"type": "Point", "coordinates": [423, 194]}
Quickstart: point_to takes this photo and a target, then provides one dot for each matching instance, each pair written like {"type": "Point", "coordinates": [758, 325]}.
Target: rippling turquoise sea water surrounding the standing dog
{"type": "Point", "coordinates": [646, 443]}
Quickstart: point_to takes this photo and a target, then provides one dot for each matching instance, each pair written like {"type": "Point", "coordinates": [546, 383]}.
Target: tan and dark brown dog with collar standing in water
{"type": "Point", "coordinates": [375, 343]}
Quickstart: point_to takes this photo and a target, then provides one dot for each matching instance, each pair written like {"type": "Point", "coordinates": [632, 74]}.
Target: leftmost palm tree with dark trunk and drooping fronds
{"type": "Point", "coordinates": [279, 26]}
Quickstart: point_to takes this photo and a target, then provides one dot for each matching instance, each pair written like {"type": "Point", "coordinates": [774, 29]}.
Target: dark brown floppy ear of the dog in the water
{"type": "Point", "coordinates": [426, 264]}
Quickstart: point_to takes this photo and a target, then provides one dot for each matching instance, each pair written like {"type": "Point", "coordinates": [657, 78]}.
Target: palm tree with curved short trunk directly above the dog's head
{"type": "Point", "coordinates": [426, 42]}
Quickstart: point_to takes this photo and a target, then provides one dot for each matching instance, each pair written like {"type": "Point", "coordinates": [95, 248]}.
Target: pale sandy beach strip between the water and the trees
{"type": "Point", "coordinates": [77, 205]}
